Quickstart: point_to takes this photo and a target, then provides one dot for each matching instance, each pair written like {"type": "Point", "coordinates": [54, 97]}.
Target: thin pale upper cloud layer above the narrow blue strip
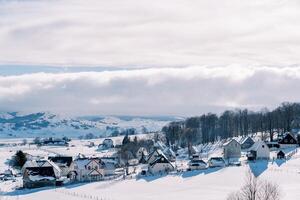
{"type": "Point", "coordinates": [157, 34]}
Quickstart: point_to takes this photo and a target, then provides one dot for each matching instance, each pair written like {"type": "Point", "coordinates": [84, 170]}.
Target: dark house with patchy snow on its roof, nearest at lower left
{"type": "Point", "coordinates": [34, 177]}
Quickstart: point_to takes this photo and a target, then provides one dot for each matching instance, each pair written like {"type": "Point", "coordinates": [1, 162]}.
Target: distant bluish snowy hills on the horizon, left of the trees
{"type": "Point", "coordinates": [13, 124]}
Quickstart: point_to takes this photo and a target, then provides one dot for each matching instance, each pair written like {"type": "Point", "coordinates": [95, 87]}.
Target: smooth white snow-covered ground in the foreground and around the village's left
{"type": "Point", "coordinates": [210, 184]}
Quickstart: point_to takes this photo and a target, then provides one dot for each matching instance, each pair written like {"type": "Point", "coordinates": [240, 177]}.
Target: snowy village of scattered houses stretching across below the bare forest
{"type": "Point", "coordinates": [61, 163]}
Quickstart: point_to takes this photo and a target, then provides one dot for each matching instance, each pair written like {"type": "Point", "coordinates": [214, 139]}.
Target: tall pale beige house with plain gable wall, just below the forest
{"type": "Point", "coordinates": [231, 149]}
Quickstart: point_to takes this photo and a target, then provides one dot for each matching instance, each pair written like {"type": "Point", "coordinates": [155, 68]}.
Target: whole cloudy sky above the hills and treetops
{"type": "Point", "coordinates": [136, 57]}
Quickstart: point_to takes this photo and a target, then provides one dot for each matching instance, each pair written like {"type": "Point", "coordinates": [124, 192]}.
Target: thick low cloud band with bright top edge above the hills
{"type": "Point", "coordinates": [179, 91]}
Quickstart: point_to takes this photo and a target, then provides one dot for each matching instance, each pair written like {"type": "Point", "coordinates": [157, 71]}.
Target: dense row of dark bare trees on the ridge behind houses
{"type": "Point", "coordinates": [211, 127]}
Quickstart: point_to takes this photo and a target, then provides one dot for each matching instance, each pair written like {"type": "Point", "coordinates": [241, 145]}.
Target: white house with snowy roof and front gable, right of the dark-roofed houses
{"type": "Point", "coordinates": [88, 169]}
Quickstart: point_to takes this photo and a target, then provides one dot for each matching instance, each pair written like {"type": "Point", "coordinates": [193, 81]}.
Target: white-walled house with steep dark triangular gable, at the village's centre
{"type": "Point", "coordinates": [160, 164]}
